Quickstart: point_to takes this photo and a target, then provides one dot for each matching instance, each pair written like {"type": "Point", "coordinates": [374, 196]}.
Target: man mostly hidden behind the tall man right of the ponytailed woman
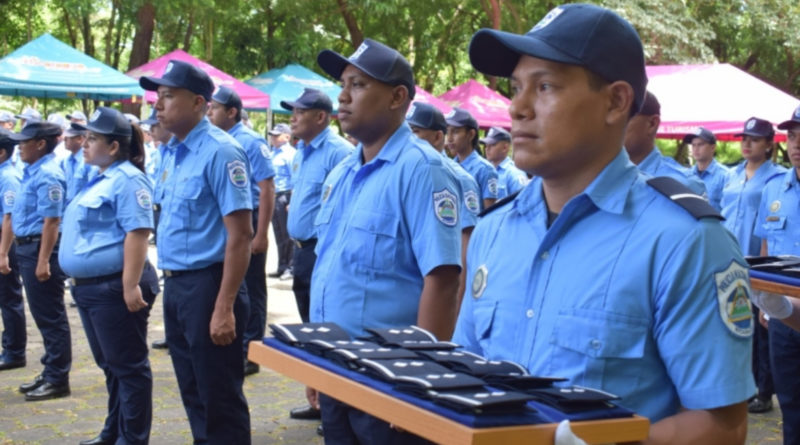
{"type": "Point", "coordinates": [225, 112]}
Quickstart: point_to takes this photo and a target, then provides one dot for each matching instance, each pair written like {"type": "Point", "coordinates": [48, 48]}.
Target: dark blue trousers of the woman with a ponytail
{"type": "Point", "coordinates": [118, 340]}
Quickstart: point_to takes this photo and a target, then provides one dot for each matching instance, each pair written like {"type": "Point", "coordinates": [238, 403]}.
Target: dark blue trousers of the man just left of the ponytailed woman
{"type": "Point", "coordinates": [46, 302]}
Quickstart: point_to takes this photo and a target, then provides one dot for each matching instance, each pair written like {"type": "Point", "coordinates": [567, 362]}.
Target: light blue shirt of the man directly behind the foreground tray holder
{"type": "Point", "coordinates": [382, 228]}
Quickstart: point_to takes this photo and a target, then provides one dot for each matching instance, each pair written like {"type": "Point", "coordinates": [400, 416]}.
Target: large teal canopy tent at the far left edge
{"type": "Point", "coordinates": [46, 67]}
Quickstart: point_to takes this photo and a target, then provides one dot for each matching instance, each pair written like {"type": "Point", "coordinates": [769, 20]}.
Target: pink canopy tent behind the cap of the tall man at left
{"type": "Point", "coordinates": [251, 97]}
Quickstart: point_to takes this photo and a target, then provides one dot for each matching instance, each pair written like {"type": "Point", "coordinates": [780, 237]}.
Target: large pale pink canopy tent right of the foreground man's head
{"type": "Point", "coordinates": [719, 97]}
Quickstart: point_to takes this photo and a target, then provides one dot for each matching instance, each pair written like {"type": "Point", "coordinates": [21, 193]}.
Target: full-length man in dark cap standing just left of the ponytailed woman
{"type": "Point", "coordinates": [35, 221]}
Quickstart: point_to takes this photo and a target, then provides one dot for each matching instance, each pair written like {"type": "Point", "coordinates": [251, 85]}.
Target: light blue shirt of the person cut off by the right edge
{"type": "Point", "coordinates": [778, 218]}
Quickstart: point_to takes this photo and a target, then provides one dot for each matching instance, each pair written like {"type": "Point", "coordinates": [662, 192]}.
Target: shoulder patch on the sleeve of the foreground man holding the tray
{"type": "Point", "coordinates": [733, 296]}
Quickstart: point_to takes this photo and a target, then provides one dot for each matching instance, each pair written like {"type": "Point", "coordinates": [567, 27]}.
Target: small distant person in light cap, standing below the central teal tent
{"type": "Point", "coordinates": [282, 155]}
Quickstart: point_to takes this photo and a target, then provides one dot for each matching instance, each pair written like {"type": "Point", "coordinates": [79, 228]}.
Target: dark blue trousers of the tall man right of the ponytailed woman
{"type": "Point", "coordinates": [210, 377]}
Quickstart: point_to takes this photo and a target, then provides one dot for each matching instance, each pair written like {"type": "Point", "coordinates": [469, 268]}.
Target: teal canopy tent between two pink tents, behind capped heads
{"type": "Point", "coordinates": [287, 83]}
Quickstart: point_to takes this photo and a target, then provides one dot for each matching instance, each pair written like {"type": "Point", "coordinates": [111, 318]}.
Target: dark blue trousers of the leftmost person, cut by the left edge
{"type": "Point", "coordinates": [12, 309]}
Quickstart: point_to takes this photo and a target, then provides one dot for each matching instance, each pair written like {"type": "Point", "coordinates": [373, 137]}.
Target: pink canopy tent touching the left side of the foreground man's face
{"type": "Point", "coordinates": [487, 106]}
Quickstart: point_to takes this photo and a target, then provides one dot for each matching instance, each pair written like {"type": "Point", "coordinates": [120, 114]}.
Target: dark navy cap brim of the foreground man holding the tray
{"type": "Point", "coordinates": [496, 53]}
